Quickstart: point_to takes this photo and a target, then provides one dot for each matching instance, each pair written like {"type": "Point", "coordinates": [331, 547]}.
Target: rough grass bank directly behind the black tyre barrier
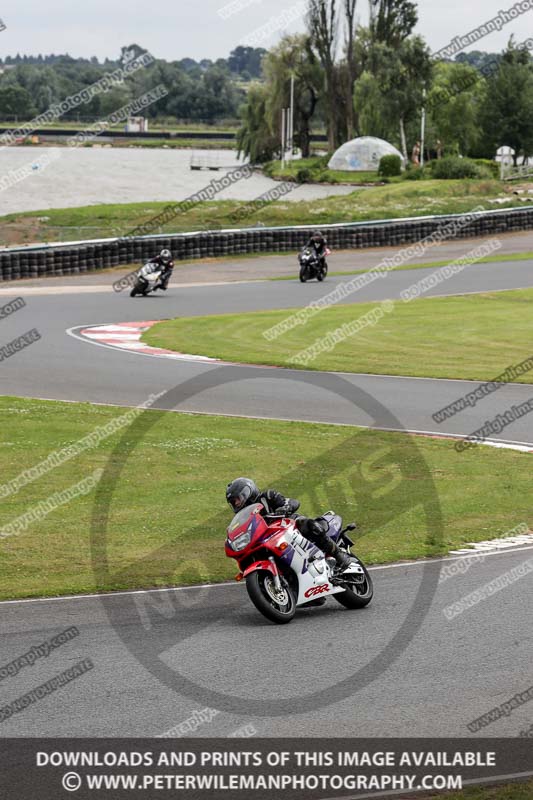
{"type": "Point", "coordinates": [405, 199]}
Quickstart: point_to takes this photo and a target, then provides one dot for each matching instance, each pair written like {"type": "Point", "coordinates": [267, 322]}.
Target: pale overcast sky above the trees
{"type": "Point", "coordinates": [174, 29]}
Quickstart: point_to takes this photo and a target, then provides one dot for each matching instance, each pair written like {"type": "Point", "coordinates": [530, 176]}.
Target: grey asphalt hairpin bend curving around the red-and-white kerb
{"type": "Point", "coordinates": [63, 368]}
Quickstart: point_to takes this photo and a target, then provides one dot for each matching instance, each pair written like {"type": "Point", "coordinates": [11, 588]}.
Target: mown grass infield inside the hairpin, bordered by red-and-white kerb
{"type": "Point", "coordinates": [470, 337]}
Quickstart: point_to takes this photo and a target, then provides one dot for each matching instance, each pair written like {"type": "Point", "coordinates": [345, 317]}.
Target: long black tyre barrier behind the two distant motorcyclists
{"type": "Point", "coordinates": [69, 258]}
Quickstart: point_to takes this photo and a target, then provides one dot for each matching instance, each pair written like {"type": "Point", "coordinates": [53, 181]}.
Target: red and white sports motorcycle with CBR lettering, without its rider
{"type": "Point", "coordinates": [284, 570]}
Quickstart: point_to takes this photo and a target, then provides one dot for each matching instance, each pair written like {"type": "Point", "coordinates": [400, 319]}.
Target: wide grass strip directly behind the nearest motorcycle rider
{"type": "Point", "coordinates": [168, 514]}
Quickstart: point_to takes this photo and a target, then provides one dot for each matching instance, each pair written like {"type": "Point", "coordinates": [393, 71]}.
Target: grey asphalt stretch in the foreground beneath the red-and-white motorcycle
{"type": "Point", "coordinates": [451, 673]}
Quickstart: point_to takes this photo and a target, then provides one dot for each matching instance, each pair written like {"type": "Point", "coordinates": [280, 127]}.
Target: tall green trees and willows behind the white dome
{"type": "Point", "coordinates": [375, 80]}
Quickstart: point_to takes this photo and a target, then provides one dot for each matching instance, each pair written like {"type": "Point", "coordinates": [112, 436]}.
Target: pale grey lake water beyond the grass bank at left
{"type": "Point", "coordinates": [61, 177]}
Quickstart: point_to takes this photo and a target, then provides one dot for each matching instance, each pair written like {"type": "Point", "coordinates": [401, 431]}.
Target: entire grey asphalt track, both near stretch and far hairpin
{"type": "Point", "coordinates": [308, 678]}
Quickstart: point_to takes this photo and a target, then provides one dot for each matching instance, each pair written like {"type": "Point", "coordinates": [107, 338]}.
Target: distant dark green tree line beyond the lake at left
{"type": "Point", "coordinates": [204, 91]}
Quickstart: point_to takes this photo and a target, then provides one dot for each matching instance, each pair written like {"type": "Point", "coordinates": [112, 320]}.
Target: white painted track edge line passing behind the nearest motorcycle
{"type": "Point", "coordinates": [397, 565]}
